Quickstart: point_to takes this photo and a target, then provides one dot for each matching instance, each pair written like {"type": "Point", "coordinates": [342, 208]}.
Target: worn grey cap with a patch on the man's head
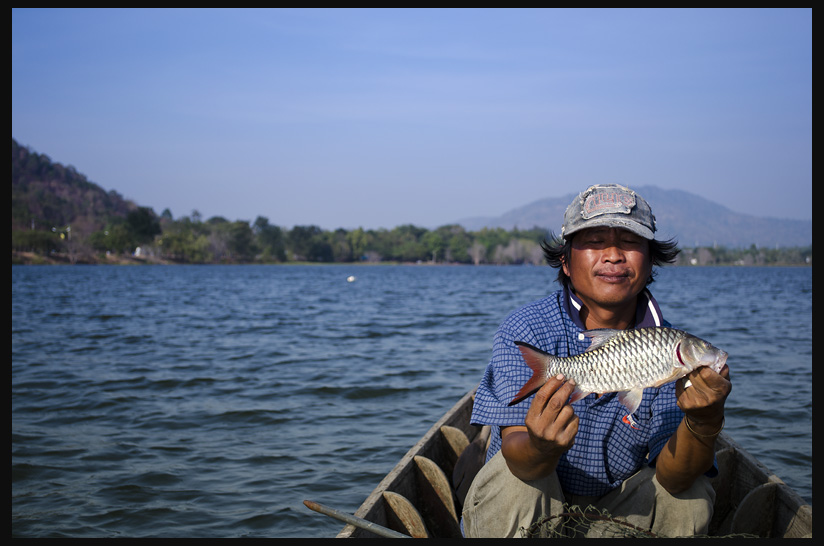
{"type": "Point", "coordinates": [610, 205]}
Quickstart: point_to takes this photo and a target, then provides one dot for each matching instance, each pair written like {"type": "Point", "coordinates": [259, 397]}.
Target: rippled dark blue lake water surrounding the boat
{"type": "Point", "coordinates": [210, 401]}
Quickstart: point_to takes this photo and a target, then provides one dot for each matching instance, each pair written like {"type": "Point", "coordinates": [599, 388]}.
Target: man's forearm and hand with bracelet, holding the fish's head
{"type": "Point", "coordinates": [691, 450]}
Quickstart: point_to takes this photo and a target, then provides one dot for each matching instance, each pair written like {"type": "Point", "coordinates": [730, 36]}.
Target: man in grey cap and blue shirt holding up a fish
{"type": "Point", "coordinates": [594, 399]}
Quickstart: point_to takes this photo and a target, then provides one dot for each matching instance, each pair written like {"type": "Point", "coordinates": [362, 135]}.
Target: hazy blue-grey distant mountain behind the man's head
{"type": "Point", "coordinates": [692, 220]}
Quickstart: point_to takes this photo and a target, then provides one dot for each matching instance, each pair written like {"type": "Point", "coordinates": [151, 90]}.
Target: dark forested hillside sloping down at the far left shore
{"type": "Point", "coordinates": [45, 194]}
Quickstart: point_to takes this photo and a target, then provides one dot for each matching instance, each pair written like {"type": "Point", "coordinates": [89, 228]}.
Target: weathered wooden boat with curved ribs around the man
{"type": "Point", "coordinates": [419, 497]}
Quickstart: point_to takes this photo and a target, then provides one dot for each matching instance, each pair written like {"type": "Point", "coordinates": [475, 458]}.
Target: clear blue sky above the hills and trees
{"type": "Point", "coordinates": [382, 117]}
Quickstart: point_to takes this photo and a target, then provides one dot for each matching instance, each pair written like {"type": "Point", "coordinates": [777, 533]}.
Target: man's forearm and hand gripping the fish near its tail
{"type": "Point", "coordinates": [532, 451]}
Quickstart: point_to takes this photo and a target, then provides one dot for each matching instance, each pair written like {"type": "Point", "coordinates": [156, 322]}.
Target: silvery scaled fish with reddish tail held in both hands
{"type": "Point", "coordinates": [622, 361]}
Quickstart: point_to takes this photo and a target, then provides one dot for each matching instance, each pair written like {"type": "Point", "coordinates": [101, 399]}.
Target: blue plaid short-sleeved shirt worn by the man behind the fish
{"type": "Point", "coordinates": [607, 448]}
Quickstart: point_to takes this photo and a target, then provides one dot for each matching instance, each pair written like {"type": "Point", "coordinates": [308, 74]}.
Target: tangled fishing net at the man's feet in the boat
{"type": "Point", "coordinates": [590, 522]}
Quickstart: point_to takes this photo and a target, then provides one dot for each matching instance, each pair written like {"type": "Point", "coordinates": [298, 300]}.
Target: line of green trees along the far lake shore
{"type": "Point", "coordinates": [192, 240]}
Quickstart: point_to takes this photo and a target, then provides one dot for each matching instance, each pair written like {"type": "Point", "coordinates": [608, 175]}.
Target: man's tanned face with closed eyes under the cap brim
{"type": "Point", "coordinates": [608, 267]}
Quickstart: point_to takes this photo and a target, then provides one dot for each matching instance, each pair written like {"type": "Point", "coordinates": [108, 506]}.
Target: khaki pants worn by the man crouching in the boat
{"type": "Point", "coordinates": [498, 504]}
